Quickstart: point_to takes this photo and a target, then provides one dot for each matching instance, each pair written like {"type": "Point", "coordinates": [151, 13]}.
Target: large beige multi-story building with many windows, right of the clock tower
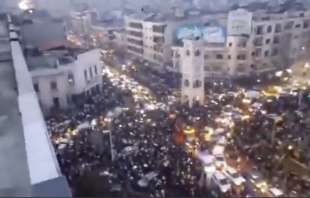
{"type": "Point", "coordinates": [256, 42]}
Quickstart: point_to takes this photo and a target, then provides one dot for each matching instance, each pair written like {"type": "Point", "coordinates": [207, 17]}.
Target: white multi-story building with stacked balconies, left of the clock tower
{"type": "Point", "coordinates": [150, 36]}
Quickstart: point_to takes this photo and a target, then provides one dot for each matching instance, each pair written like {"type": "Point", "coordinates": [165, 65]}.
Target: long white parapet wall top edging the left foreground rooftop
{"type": "Point", "coordinates": [42, 162]}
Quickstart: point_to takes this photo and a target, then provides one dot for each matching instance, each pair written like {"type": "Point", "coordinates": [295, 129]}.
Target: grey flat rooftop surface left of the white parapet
{"type": "Point", "coordinates": [14, 172]}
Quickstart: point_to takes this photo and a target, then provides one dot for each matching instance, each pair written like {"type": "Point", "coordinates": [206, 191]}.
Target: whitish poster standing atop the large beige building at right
{"type": "Point", "coordinates": [239, 22]}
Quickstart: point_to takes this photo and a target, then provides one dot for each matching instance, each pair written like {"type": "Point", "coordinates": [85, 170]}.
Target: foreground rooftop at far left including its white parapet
{"type": "Point", "coordinates": [28, 164]}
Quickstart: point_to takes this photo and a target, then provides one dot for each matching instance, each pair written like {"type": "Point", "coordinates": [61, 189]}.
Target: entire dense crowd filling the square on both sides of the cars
{"type": "Point", "coordinates": [139, 151]}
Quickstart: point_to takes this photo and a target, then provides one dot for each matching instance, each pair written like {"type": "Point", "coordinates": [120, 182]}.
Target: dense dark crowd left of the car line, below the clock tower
{"type": "Point", "coordinates": [147, 160]}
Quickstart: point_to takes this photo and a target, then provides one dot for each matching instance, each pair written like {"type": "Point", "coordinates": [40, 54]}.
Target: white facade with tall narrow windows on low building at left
{"type": "Point", "coordinates": [59, 86]}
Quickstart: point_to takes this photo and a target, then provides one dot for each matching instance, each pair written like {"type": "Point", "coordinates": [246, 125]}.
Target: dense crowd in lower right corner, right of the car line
{"type": "Point", "coordinates": [277, 141]}
